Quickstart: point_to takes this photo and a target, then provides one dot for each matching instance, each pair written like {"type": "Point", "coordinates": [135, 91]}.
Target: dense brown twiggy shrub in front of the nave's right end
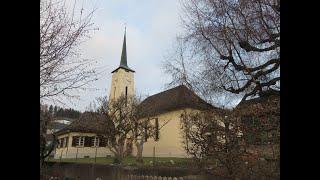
{"type": "Point", "coordinates": [213, 136]}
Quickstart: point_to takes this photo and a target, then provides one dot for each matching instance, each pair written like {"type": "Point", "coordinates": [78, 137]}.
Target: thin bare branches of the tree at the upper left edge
{"type": "Point", "coordinates": [62, 30]}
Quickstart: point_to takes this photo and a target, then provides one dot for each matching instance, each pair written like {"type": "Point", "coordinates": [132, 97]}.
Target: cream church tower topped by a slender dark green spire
{"type": "Point", "coordinates": [122, 83]}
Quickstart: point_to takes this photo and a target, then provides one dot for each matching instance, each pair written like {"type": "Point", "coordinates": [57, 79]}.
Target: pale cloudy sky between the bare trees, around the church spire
{"type": "Point", "coordinates": [152, 26]}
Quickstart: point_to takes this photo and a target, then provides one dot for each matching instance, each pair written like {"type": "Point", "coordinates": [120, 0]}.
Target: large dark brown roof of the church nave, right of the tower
{"type": "Point", "coordinates": [173, 99]}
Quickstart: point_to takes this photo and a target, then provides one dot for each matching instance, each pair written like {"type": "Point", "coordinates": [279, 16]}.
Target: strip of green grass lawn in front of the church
{"type": "Point", "coordinates": [130, 160]}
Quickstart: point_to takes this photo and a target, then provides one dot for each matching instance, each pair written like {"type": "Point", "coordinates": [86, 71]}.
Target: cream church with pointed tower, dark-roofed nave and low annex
{"type": "Point", "coordinates": [79, 139]}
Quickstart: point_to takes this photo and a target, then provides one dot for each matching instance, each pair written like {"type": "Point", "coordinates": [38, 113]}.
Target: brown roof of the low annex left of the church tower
{"type": "Point", "coordinates": [88, 122]}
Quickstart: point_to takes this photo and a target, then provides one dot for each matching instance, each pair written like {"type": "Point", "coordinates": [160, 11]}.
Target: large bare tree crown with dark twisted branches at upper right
{"type": "Point", "coordinates": [237, 44]}
